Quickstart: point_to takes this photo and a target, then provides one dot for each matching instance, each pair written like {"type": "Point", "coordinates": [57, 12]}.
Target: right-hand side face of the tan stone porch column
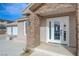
{"type": "Point", "coordinates": [37, 30]}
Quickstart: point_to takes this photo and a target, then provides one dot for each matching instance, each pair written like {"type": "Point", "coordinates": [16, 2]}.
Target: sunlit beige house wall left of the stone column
{"type": "Point", "coordinates": [21, 36]}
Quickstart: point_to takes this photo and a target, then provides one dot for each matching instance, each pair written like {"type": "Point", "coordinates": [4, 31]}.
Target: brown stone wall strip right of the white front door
{"type": "Point", "coordinates": [72, 30]}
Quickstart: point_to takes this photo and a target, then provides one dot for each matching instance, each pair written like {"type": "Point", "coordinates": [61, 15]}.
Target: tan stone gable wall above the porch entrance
{"type": "Point", "coordinates": [47, 7]}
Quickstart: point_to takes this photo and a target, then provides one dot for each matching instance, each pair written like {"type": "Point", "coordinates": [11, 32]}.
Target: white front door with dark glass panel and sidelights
{"type": "Point", "coordinates": [58, 30]}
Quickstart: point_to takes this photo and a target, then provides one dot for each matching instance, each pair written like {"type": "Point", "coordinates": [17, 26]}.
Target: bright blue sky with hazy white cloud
{"type": "Point", "coordinates": [11, 11]}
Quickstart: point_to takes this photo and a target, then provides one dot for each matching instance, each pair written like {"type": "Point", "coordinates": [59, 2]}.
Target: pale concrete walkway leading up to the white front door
{"type": "Point", "coordinates": [51, 50]}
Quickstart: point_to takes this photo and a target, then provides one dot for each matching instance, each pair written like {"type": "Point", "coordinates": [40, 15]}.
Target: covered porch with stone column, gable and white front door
{"type": "Point", "coordinates": [38, 29]}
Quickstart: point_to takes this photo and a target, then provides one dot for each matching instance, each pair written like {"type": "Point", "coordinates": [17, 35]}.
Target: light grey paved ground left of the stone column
{"type": "Point", "coordinates": [10, 48]}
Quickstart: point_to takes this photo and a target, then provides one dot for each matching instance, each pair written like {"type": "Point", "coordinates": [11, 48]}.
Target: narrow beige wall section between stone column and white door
{"type": "Point", "coordinates": [43, 30]}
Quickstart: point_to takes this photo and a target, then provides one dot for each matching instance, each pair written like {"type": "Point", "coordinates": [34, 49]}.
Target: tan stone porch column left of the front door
{"type": "Point", "coordinates": [33, 31]}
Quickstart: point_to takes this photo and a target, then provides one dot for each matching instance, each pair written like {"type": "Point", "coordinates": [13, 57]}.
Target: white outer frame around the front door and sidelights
{"type": "Point", "coordinates": [47, 29]}
